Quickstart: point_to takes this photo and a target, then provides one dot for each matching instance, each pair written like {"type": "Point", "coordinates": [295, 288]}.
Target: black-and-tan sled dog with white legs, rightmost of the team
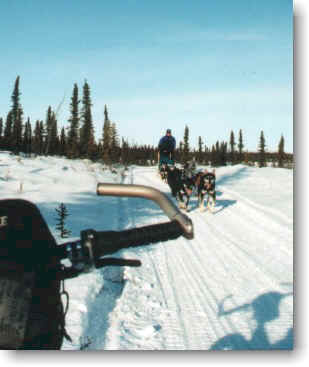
{"type": "Point", "coordinates": [206, 188]}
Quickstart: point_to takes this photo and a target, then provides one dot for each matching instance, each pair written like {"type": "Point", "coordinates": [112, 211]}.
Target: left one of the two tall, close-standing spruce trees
{"type": "Point", "coordinates": [73, 134]}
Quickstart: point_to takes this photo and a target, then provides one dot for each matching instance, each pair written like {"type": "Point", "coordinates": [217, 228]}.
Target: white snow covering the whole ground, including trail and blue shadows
{"type": "Point", "coordinates": [231, 287]}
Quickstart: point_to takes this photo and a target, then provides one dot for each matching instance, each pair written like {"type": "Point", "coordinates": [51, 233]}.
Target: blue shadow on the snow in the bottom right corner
{"type": "Point", "coordinates": [265, 309]}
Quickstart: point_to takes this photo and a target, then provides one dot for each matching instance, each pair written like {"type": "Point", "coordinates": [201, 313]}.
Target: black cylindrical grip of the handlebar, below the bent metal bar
{"type": "Point", "coordinates": [108, 242]}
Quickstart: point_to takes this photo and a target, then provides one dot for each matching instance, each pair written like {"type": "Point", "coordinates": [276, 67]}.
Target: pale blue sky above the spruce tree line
{"type": "Point", "coordinates": [215, 66]}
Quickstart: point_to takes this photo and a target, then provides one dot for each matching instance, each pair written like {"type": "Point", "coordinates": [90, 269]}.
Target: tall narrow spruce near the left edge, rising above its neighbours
{"type": "Point", "coordinates": [17, 113]}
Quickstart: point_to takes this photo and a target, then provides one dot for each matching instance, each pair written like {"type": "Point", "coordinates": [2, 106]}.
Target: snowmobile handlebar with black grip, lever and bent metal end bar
{"type": "Point", "coordinates": [88, 252]}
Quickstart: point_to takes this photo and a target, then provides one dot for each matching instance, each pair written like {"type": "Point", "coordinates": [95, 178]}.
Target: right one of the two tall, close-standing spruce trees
{"type": "Point", "coordinates": [87, 142]}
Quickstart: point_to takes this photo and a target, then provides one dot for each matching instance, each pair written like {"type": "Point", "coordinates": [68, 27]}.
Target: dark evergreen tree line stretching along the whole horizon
{"type": "Point", "coordinates": [77, 139]}
